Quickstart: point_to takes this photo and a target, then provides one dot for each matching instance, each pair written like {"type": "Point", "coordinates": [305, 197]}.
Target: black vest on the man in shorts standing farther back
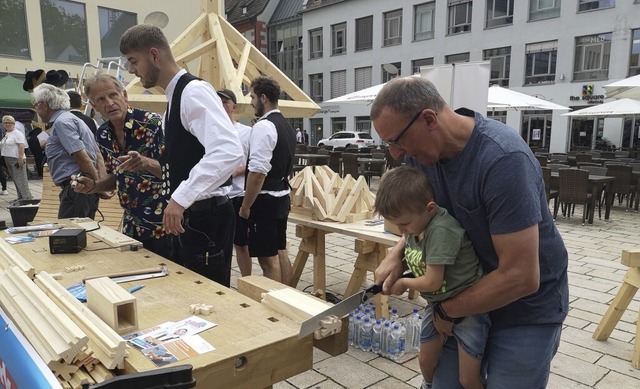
{"type": "Point", "coordinates": [282, 158]}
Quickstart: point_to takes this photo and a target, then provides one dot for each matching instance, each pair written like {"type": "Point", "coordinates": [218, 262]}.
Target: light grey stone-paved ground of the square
{"type": "Point", "coordinates": [595, 275]}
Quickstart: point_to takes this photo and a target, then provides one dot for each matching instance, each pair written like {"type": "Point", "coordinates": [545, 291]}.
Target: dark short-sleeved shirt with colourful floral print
{"type": "Point", "coordinates": [139, 191]}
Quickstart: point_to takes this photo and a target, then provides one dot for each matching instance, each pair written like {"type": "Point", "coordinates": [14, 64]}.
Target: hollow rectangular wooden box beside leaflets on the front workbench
{"type": "Point", "coordinates": [113, 304]}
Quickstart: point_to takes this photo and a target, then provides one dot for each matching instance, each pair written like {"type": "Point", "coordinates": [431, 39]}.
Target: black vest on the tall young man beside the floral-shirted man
{"type": "Point", "coordinates": [183, 150]}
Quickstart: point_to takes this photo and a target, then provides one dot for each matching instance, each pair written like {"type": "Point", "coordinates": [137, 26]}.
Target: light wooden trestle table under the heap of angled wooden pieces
{"type": "Point", "coordinates": [371, 246]}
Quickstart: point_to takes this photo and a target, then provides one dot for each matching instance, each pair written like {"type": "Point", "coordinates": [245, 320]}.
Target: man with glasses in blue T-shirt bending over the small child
{"type": "Point", "coordinates": [486, 176]}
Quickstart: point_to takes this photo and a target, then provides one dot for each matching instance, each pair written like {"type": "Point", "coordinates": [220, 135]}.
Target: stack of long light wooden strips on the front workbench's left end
{"type": "Point", "coordinates": [77, 346]}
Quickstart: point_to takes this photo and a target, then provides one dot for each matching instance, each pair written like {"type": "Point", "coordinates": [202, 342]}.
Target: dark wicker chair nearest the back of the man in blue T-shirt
{"type": "Point", "coordinates": [574, 189]}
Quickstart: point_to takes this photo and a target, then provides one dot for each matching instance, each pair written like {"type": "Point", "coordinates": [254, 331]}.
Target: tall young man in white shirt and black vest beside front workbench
{"type": "Point", "coordinates": [202, 150]}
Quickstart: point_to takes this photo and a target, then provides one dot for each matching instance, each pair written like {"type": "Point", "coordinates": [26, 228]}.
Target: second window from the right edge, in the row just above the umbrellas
{"type": "Point", "coordinates": [591, 58]}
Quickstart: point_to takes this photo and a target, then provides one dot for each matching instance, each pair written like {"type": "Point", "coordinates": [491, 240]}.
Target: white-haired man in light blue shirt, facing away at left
{"type": "Point", "coordinates": [71, 149]}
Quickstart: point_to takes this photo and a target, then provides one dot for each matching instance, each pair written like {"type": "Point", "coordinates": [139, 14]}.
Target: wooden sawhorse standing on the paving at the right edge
{"type": "Point", "coordinates": [630, 285]}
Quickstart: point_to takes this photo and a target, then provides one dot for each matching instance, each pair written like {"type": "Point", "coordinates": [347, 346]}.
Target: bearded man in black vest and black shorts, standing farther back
{"type": "Point", "coordinates": [266, 201]}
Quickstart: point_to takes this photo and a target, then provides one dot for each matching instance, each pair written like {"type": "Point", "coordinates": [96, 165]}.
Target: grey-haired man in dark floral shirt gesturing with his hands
{"type": "Point", "coordinates": [131, 142]}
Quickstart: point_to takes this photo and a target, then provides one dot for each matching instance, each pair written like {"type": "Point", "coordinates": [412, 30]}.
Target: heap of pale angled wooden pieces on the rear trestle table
{"type": "Point", "coordinates": [324, 195]}
